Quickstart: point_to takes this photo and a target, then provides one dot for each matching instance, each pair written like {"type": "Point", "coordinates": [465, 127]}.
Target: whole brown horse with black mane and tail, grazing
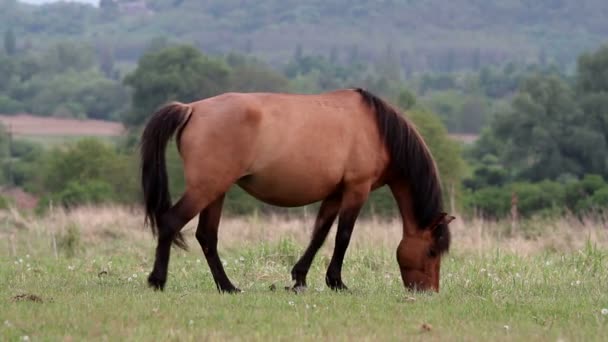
{"type": "Point", "coordinates": [293, 150]}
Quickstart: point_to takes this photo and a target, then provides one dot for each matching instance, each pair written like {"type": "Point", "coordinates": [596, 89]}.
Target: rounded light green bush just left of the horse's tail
{"type": "Point", "coordinates": [87, 172]}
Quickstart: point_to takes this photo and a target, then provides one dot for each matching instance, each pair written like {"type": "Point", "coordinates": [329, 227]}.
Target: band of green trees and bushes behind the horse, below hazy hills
{"type": "Point", "coordinates": [544, 140]}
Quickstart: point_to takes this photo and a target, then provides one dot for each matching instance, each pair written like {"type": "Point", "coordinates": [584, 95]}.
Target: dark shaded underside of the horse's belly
{"type": "Point", "coordinates": [288, 190]}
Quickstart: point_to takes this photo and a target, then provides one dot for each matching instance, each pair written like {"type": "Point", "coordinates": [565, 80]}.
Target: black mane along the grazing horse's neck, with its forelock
{"type": "Point", "coordinates": [412, 159]}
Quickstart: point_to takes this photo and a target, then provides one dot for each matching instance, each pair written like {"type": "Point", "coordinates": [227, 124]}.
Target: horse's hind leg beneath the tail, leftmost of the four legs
{"type": "Point", "coordinates": [169, 225]}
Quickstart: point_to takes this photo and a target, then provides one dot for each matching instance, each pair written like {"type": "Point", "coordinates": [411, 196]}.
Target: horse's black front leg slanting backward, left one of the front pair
{"type": "Point", "coordinates": [325, 219]}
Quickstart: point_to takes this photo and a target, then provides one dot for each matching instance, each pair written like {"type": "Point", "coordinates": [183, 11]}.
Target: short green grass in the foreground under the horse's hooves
{"type": "Point", "coordinates": [101, 294]}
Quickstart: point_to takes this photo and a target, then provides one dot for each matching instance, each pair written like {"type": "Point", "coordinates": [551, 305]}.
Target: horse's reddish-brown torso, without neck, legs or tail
{"type": "Point", "coordinates": [288, 149]}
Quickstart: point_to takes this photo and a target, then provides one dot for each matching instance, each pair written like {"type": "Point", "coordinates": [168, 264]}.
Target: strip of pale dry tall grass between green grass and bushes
{"type": "Point", "coordinates": [98, 224]}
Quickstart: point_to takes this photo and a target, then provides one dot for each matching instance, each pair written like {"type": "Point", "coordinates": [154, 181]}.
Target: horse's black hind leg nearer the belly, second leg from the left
{"type": "Point", "coordinates": [206, 234]}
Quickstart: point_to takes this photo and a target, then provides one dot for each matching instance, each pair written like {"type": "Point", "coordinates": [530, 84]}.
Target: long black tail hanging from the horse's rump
{"type": "Point", "coordinates": [155, 183]}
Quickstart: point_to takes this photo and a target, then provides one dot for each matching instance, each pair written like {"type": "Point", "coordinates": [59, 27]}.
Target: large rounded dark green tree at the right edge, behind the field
{"type": "Point", "coordinates": [545, 135]}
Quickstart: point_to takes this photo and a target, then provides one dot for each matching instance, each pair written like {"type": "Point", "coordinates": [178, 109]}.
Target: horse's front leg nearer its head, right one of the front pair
{"type": "Point", "coordinates": [352, 202]}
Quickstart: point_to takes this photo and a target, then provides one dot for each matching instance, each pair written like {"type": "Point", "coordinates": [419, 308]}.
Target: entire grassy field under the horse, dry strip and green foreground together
{"type": "Point", "coordinates": [81, 275]}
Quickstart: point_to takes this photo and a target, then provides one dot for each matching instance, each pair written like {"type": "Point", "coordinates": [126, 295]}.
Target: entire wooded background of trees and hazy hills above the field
{"type": "Point", "coordinates": [532, 92]}
